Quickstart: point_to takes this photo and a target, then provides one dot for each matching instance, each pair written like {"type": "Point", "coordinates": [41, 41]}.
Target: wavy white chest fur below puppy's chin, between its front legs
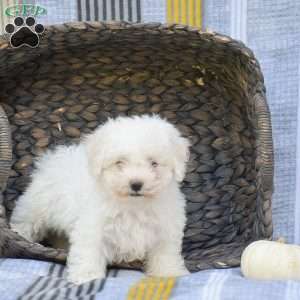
{"type": "Point", "coordinates": [129, 235]}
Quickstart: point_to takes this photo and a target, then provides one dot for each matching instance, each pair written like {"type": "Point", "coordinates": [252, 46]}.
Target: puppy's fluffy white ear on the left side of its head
{"type": "Point", "coordinates": [95, 151]}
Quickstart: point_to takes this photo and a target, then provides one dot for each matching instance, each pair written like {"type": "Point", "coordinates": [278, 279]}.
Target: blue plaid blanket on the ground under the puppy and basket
{"type": "Point", "coordinates": [30, 279]}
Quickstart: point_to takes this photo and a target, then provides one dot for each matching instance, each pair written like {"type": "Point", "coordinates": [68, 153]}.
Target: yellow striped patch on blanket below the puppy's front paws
{"type": "Point", "coordinates": [152, 288]}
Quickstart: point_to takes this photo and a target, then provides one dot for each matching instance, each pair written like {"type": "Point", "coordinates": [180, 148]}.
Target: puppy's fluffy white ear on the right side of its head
{"type": "Point", "coordinates": [181, 156]}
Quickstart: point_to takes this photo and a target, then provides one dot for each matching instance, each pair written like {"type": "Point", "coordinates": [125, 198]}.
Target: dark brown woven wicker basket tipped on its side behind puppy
{"type": "Point", "coordinates": [207, 84]}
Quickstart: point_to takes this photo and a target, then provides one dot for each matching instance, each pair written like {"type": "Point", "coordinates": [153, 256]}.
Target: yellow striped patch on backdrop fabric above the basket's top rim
{"type": "Point", "coordinates": [187, 12]}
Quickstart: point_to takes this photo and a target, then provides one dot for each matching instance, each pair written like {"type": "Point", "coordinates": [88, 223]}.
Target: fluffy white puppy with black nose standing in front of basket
{"type": "Point", "coordinates": [115, 196]}
